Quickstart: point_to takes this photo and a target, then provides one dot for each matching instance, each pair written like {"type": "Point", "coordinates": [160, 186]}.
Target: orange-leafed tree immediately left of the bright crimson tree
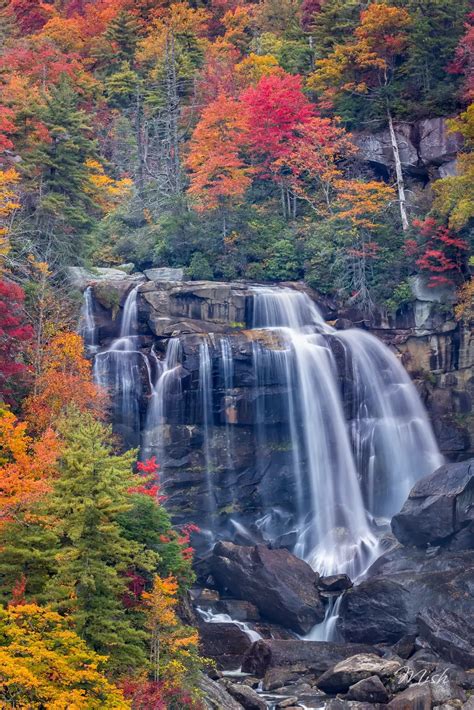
{"type": "Point", "coordinates": [219, 174]}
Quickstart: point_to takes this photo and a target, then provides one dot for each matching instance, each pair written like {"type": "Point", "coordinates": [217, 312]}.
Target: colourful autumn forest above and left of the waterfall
{"type": "Point", "coordinates": [222, 137]}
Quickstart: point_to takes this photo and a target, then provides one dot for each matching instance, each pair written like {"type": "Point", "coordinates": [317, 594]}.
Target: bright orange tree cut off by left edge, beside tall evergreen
{"type": "Point", "coordinates": [27, 466]}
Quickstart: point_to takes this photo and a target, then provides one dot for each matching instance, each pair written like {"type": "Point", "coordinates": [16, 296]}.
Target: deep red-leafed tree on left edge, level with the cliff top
{"type": "Point", "coordinates": [15, 334]}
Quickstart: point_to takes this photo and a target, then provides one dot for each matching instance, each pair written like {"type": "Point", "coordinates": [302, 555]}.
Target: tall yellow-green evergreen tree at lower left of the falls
{"type": "Point", "coordinates": [90, 495]}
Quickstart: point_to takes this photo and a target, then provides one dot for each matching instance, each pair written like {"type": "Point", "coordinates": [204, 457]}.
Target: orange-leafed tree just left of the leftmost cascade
{"type": "Point", "coordinates": [65, 380]}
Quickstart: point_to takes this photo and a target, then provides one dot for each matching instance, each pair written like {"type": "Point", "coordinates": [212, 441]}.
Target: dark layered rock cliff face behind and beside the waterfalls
{"type": "Point", "coordinates": [259, 475]}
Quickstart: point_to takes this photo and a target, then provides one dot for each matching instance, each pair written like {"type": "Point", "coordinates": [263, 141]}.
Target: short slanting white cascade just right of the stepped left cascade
{"type": "Point", "coordinates": [166, 382]}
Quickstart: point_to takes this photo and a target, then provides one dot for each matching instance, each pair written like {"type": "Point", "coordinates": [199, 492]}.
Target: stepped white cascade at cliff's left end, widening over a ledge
{"type": "Point", "coordinates": [118, 369]}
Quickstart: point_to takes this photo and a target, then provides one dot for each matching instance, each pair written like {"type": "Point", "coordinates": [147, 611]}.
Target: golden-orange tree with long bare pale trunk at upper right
{"type": "Point", "coordinates": [366, 68]}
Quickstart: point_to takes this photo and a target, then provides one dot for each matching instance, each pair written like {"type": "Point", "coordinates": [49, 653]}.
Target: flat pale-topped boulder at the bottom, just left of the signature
{"type": "Point", "coordinates": [340, 677]}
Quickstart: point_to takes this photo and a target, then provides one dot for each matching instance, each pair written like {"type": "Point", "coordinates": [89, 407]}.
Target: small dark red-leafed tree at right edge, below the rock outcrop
{"type": "Point", "coordinates": [441, 252]}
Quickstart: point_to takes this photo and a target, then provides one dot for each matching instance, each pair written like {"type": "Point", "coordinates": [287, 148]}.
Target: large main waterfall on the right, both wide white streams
{"type": "Point", "coordinates": [334, 531]}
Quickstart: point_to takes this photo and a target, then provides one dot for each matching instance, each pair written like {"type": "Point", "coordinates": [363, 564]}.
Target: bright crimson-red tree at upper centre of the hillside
{"type": "Point", "coordinates": [275, 107]}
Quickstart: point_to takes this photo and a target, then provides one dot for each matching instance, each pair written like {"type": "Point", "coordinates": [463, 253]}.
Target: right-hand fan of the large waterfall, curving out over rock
{"type": "Point", "coordinates": [393, 440]}
